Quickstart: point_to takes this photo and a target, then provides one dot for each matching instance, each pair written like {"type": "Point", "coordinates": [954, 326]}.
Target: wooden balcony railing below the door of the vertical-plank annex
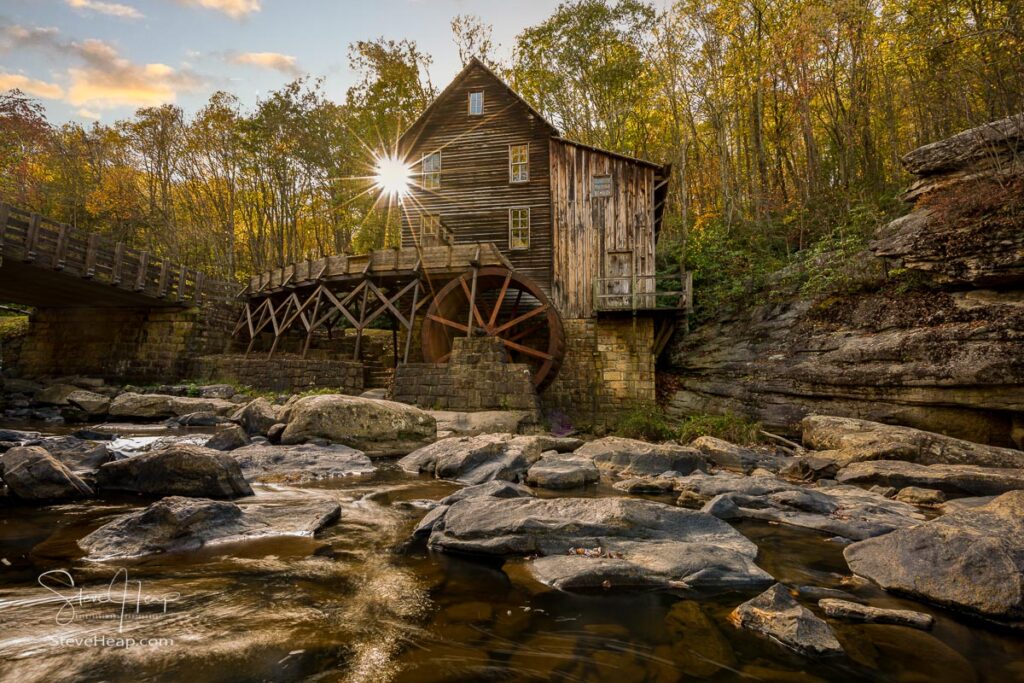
{"type": "Point", "coordinates": [636, 293]}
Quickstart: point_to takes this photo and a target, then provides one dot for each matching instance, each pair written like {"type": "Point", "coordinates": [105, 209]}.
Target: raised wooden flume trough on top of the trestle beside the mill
{"type": "Point", "coordinates": [442, 263]}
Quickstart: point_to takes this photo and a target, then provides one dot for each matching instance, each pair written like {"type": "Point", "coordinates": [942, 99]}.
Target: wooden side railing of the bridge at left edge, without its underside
{"type": "Point", "coordinates": [34, 240]}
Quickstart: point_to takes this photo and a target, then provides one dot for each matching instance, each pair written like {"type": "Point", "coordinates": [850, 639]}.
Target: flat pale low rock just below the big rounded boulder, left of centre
{"type": "Point", "coordinates": [301, 463]}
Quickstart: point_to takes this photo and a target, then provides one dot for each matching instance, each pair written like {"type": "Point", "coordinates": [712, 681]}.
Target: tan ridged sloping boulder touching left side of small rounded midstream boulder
{"type": "Point", "coordinates": [478, 459]}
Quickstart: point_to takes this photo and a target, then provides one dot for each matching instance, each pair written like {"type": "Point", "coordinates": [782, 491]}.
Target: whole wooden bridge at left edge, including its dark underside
{"type": "Point", "coordinates": [48, 265]}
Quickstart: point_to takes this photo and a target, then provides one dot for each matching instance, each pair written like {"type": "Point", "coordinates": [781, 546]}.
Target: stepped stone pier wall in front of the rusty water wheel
{"type": "Point", "coordinates": [478, 377]}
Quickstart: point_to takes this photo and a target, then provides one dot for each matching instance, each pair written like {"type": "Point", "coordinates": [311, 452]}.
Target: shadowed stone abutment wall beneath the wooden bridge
{"type": "Point", "coordinates": [123, 345]}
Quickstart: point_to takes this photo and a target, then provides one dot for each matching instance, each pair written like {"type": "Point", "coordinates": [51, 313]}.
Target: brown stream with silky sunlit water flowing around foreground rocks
{"type": "Point", "coordinates": [361, 604]}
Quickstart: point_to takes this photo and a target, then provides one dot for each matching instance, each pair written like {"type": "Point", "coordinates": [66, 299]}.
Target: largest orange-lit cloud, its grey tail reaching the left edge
{"type": "Point", "coordinates": [103, 78]}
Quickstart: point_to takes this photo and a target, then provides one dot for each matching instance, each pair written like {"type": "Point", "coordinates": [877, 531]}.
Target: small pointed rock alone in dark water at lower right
{"type": "Point", "coordinates": [776, 614]}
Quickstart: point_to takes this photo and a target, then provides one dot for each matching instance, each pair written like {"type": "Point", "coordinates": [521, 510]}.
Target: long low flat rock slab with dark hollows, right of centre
{"type": "Point", "coordinates": [845, 511]}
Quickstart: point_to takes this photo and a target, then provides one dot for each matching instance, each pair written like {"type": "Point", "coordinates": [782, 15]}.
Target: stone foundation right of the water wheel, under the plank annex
{"type": "Point", "coordinates": [609, 368]}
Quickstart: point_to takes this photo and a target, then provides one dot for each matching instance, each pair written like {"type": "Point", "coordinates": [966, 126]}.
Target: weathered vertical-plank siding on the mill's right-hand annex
{"type": "Point", "coordinates": [586, 230]}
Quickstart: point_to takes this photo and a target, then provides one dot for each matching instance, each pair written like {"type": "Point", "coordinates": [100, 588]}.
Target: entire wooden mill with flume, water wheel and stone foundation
{"type": "Point", "coordinates": [508, 231]}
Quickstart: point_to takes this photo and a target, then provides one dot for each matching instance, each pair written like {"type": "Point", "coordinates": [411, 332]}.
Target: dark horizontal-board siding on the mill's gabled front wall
{"type": "Point", "coordinates": [476, 194]}
